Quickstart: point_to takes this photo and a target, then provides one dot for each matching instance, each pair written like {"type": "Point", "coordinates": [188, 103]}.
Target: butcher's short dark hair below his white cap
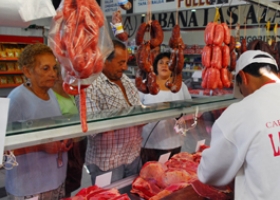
{"type": "Point", "coordinates": [254, 70]}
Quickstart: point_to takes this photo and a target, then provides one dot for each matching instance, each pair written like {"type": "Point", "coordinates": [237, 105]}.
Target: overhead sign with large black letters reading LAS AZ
{"type": "Point", "coordinates": [193, 23]}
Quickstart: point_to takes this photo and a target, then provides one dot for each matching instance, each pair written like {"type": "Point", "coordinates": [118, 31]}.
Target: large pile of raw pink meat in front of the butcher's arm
{"type": "Point", "coordinates": [157, 180]}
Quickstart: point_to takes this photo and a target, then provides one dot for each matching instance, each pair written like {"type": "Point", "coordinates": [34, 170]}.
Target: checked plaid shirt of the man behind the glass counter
{"type": "Point", "coordinates": [114, 148]}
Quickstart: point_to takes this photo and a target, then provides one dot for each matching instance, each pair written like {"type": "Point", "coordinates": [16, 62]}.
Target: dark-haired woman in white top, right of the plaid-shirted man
{"type": "Point", "coordinates": [160, 137]}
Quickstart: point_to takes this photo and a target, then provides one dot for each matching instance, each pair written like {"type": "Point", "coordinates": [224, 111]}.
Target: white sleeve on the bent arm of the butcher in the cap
{"type": "Point", "coordinates": [219, 163]}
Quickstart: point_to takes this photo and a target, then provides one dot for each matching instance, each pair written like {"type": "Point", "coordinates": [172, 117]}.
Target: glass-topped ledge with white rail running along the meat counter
{"type": "Point", "coordinates": [32, 132]}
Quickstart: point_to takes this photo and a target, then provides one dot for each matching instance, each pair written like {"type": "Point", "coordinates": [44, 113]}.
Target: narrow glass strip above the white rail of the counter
{"type": "Point", "coordinates": [67, 120]}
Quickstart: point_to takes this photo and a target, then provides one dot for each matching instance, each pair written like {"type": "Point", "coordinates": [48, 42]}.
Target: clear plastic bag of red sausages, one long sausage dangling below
{"type": "Point", "coordinates": [79, 37]}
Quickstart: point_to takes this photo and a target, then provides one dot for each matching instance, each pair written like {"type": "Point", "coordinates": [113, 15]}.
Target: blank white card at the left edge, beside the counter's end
{"type": "Point", "coordinates": [4, 107]}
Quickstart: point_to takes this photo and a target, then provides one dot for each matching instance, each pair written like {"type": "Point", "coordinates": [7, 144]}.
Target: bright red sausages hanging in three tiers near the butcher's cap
{"type": "Point", "coordinates": [216, 56]}
